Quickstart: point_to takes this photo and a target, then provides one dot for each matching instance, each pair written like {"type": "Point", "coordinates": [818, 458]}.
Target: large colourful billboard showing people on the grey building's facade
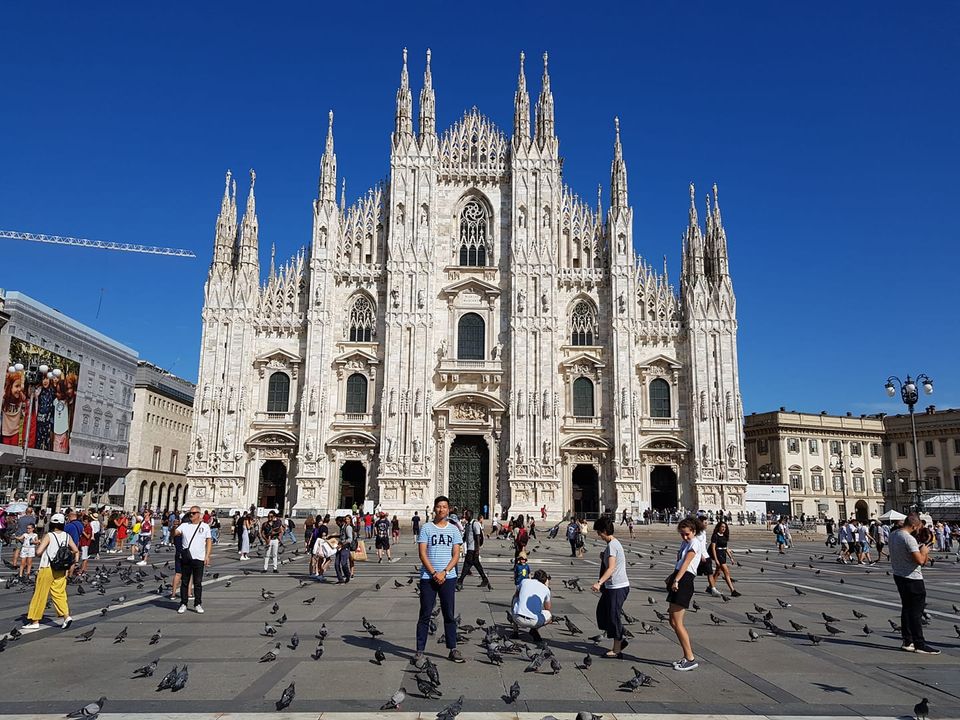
{"type": "Point", "coordinates": [38, 405]}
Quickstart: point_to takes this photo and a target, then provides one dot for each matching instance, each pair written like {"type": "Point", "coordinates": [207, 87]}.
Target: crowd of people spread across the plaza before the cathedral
{"type": "Point", "coordinates": [50, 550]}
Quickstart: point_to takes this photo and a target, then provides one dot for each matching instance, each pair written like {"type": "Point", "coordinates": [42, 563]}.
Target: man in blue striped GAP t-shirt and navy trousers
{"type": "Point", "coordinates": [439, 546]}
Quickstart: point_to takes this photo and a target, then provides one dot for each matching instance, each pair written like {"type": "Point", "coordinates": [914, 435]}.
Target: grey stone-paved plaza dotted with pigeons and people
{"type": "Point", "coordinates": [854, 674]}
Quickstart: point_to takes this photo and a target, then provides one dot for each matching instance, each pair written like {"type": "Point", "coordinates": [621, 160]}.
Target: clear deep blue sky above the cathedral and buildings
{"type": "Point", "coordinates": [831, 128]}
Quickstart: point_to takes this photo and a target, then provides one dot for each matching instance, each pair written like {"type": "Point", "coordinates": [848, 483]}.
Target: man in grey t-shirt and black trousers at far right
{"type": "Point", "coordinates": [907, 558]}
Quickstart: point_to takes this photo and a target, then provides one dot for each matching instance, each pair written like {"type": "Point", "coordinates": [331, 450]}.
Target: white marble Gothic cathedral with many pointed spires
{"type": "Point", "coordinates": [471, 327]}
